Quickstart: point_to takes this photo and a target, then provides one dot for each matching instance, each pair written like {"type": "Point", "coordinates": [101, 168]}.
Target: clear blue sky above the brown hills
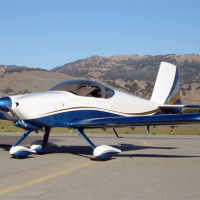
{"type": "Point", "coordinates": [48, 34]}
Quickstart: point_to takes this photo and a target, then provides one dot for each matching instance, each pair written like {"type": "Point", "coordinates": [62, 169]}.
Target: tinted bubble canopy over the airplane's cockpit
{"type": "Point", "coordinates": [85, 88]}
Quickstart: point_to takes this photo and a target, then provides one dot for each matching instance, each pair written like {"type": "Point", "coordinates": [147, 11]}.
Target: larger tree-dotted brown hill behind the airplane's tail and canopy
{"type": "Point", "coordinates": [137, 74]}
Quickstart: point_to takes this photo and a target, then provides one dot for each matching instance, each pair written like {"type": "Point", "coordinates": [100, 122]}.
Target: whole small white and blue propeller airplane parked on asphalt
{"type": "Point", "coordinates": [81, 104]}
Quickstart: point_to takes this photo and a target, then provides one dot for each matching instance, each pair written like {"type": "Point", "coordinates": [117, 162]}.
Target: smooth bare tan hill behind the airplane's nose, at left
{"type": "Point", "coordinates": [29, 81]}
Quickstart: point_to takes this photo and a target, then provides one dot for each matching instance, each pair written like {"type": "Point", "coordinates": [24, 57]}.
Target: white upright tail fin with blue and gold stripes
{"type": "Point", "coordinates": [166, 89]}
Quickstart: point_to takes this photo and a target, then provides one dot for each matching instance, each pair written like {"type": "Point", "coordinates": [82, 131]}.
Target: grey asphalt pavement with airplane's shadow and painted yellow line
{"type": "Point", "coordinates": [149, 167]}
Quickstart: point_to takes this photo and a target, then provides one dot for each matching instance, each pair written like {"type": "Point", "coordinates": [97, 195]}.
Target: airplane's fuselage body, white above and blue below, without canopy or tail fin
{"type": "Point", "coordinates": [59, 108]}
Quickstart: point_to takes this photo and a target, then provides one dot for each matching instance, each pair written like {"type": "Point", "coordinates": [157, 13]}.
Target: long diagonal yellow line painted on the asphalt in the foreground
{"type": "Point", "coordinates": [39, 180]}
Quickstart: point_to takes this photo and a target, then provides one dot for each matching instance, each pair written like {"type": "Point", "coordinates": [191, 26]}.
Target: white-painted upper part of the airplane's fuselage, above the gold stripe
{"type": "Point", "coordinates": [35, 105]}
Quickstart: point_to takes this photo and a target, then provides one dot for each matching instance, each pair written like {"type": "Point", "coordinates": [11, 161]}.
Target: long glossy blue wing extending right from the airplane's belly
{"type": "Point", "coordinates": [112, 122]}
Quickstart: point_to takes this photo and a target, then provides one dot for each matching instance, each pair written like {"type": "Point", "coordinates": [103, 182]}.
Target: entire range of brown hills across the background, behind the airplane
{"type": "Point", "coordinates": [134, 74]}
